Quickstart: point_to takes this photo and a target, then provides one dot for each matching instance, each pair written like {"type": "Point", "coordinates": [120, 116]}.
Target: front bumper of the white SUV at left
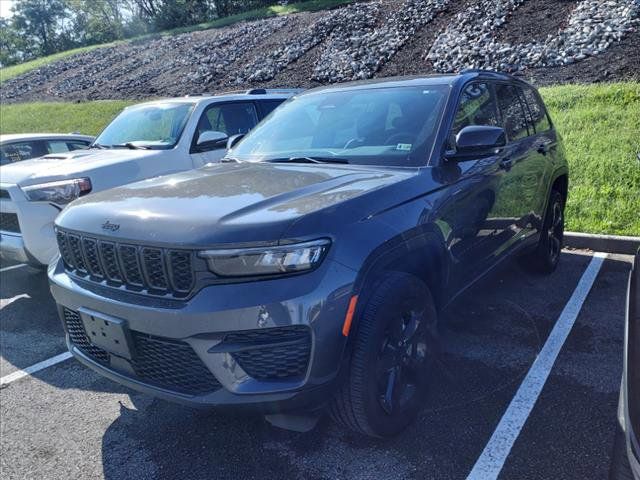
{"type": "Point", "coordinates": [35, 243]}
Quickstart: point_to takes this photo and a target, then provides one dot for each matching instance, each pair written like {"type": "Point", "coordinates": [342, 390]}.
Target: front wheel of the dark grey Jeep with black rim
{"type": "Point", "coordinates": [369, 401]}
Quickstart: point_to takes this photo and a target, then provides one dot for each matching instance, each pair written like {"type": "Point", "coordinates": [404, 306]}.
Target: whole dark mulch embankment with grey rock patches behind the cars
{"type": "Point", "coordinates": [544, 40]}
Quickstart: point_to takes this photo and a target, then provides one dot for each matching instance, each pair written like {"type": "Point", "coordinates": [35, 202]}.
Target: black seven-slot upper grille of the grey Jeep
{"type": "Point", "coordinates": [153, 270]}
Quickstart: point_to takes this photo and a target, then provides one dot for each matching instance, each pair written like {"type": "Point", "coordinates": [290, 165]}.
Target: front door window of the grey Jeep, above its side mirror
{"type": "Point", "coordinates": [477, 107]}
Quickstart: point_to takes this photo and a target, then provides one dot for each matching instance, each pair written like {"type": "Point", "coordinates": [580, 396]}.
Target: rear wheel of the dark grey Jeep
{"type": "Point", "coordinates": [546, 256]}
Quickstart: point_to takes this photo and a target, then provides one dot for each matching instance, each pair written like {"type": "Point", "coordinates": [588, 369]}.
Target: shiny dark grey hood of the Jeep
{"type": "Point", "coordinates": [225, 203]}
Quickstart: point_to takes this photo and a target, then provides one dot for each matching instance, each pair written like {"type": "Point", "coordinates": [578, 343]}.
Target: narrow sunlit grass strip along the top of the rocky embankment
{"type": "Point", "coordinates": [264, 12]}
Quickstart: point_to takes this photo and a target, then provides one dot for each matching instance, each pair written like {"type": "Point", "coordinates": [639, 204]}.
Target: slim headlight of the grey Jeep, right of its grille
{"type": "Point", "coordinates": [281, 259]}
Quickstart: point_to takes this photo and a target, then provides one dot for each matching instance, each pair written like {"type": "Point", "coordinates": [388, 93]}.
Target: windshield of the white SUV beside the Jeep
{"type": "Point", "coordinates": [156, 126]}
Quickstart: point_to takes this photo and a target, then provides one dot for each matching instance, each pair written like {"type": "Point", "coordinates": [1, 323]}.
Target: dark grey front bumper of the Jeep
{"type": "Point", "coordinates": [233, 331]}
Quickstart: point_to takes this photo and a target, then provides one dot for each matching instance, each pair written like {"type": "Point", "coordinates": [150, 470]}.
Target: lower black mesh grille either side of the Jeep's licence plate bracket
{"type": "Point", "coordinates": [158, 361]}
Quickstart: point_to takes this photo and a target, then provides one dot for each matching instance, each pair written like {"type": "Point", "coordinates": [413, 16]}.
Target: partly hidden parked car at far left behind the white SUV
{"type": "Point", "coordinates": [24, 146]}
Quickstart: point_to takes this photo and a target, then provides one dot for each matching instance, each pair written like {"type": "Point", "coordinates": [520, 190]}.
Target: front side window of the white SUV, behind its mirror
{"type": "Point", "coordinates": [230, 118]}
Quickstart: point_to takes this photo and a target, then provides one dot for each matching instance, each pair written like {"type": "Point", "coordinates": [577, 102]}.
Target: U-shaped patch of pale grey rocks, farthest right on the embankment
{"type": "Point", "coordinates": [471, 40]}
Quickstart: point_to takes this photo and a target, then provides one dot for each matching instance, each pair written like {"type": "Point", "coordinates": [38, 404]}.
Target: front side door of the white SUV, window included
{"type": "Point", "coordinates": [230, 118]}
